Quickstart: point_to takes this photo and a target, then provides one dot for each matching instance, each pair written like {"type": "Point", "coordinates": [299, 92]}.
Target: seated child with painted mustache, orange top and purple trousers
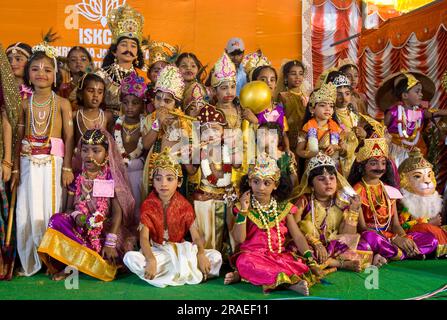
{"type": "Point", "coordinates": [373, 178]}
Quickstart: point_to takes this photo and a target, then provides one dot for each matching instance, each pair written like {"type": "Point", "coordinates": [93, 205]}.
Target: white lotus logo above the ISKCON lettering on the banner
{"type": "Point", "coordinates": [97, 10]}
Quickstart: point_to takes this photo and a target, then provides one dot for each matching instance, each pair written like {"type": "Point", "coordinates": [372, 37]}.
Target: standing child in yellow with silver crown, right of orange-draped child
{"type": "Point", "coordinates": [349, 119]}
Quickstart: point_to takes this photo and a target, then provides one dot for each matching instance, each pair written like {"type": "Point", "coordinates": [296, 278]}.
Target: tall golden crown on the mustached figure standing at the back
{"type": "Point", "coordinates": [125, 21]}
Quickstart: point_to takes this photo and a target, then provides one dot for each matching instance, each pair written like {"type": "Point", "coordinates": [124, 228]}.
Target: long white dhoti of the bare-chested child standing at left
{"type": "Point", "coordinates": [39, 195]}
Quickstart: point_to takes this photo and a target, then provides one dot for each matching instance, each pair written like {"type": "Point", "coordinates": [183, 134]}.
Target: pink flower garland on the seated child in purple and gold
{"type": "Point", "coordinates": [94, 221]}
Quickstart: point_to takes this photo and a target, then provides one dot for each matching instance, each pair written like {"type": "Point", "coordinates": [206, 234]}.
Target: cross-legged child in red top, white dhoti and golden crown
{"type": "Point", "coordinates": [166, 259]}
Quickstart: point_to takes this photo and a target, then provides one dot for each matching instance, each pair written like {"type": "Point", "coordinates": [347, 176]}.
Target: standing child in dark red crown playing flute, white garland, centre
{"type": "Point", "coordinates": [215, 194]}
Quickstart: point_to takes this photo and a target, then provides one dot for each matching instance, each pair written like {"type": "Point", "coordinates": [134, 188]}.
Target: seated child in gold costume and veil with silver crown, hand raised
{"type": "Point", "coordinates": [327, 214]}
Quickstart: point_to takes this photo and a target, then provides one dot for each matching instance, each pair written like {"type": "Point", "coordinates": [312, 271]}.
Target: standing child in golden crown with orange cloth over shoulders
{"type": "Point", "coordinates": [321, 133]}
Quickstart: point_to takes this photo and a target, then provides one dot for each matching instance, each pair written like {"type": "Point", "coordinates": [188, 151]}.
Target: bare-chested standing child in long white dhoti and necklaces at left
{"type": "Point", "coordinates": [43, 154]}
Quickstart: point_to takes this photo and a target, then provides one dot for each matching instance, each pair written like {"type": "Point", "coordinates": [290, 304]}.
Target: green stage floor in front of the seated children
{"type": "Point", "coordinates": [398, 280]}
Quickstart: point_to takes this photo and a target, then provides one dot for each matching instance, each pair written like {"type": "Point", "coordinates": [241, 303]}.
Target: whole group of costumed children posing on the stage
{"type": "Point", "coordinates": [107, 159]}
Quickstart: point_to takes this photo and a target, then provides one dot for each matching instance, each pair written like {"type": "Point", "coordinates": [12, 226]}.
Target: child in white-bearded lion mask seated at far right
{"type": "Point", "coordinates": [421, 205]}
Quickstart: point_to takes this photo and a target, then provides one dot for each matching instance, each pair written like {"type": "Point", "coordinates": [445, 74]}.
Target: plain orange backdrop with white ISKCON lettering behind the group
{"type": "Point", "coordinates": [199, 26]}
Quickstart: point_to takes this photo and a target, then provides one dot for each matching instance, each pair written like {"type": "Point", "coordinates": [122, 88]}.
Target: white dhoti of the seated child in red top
{"type": "Point", "coordinates": [176, 264]}
